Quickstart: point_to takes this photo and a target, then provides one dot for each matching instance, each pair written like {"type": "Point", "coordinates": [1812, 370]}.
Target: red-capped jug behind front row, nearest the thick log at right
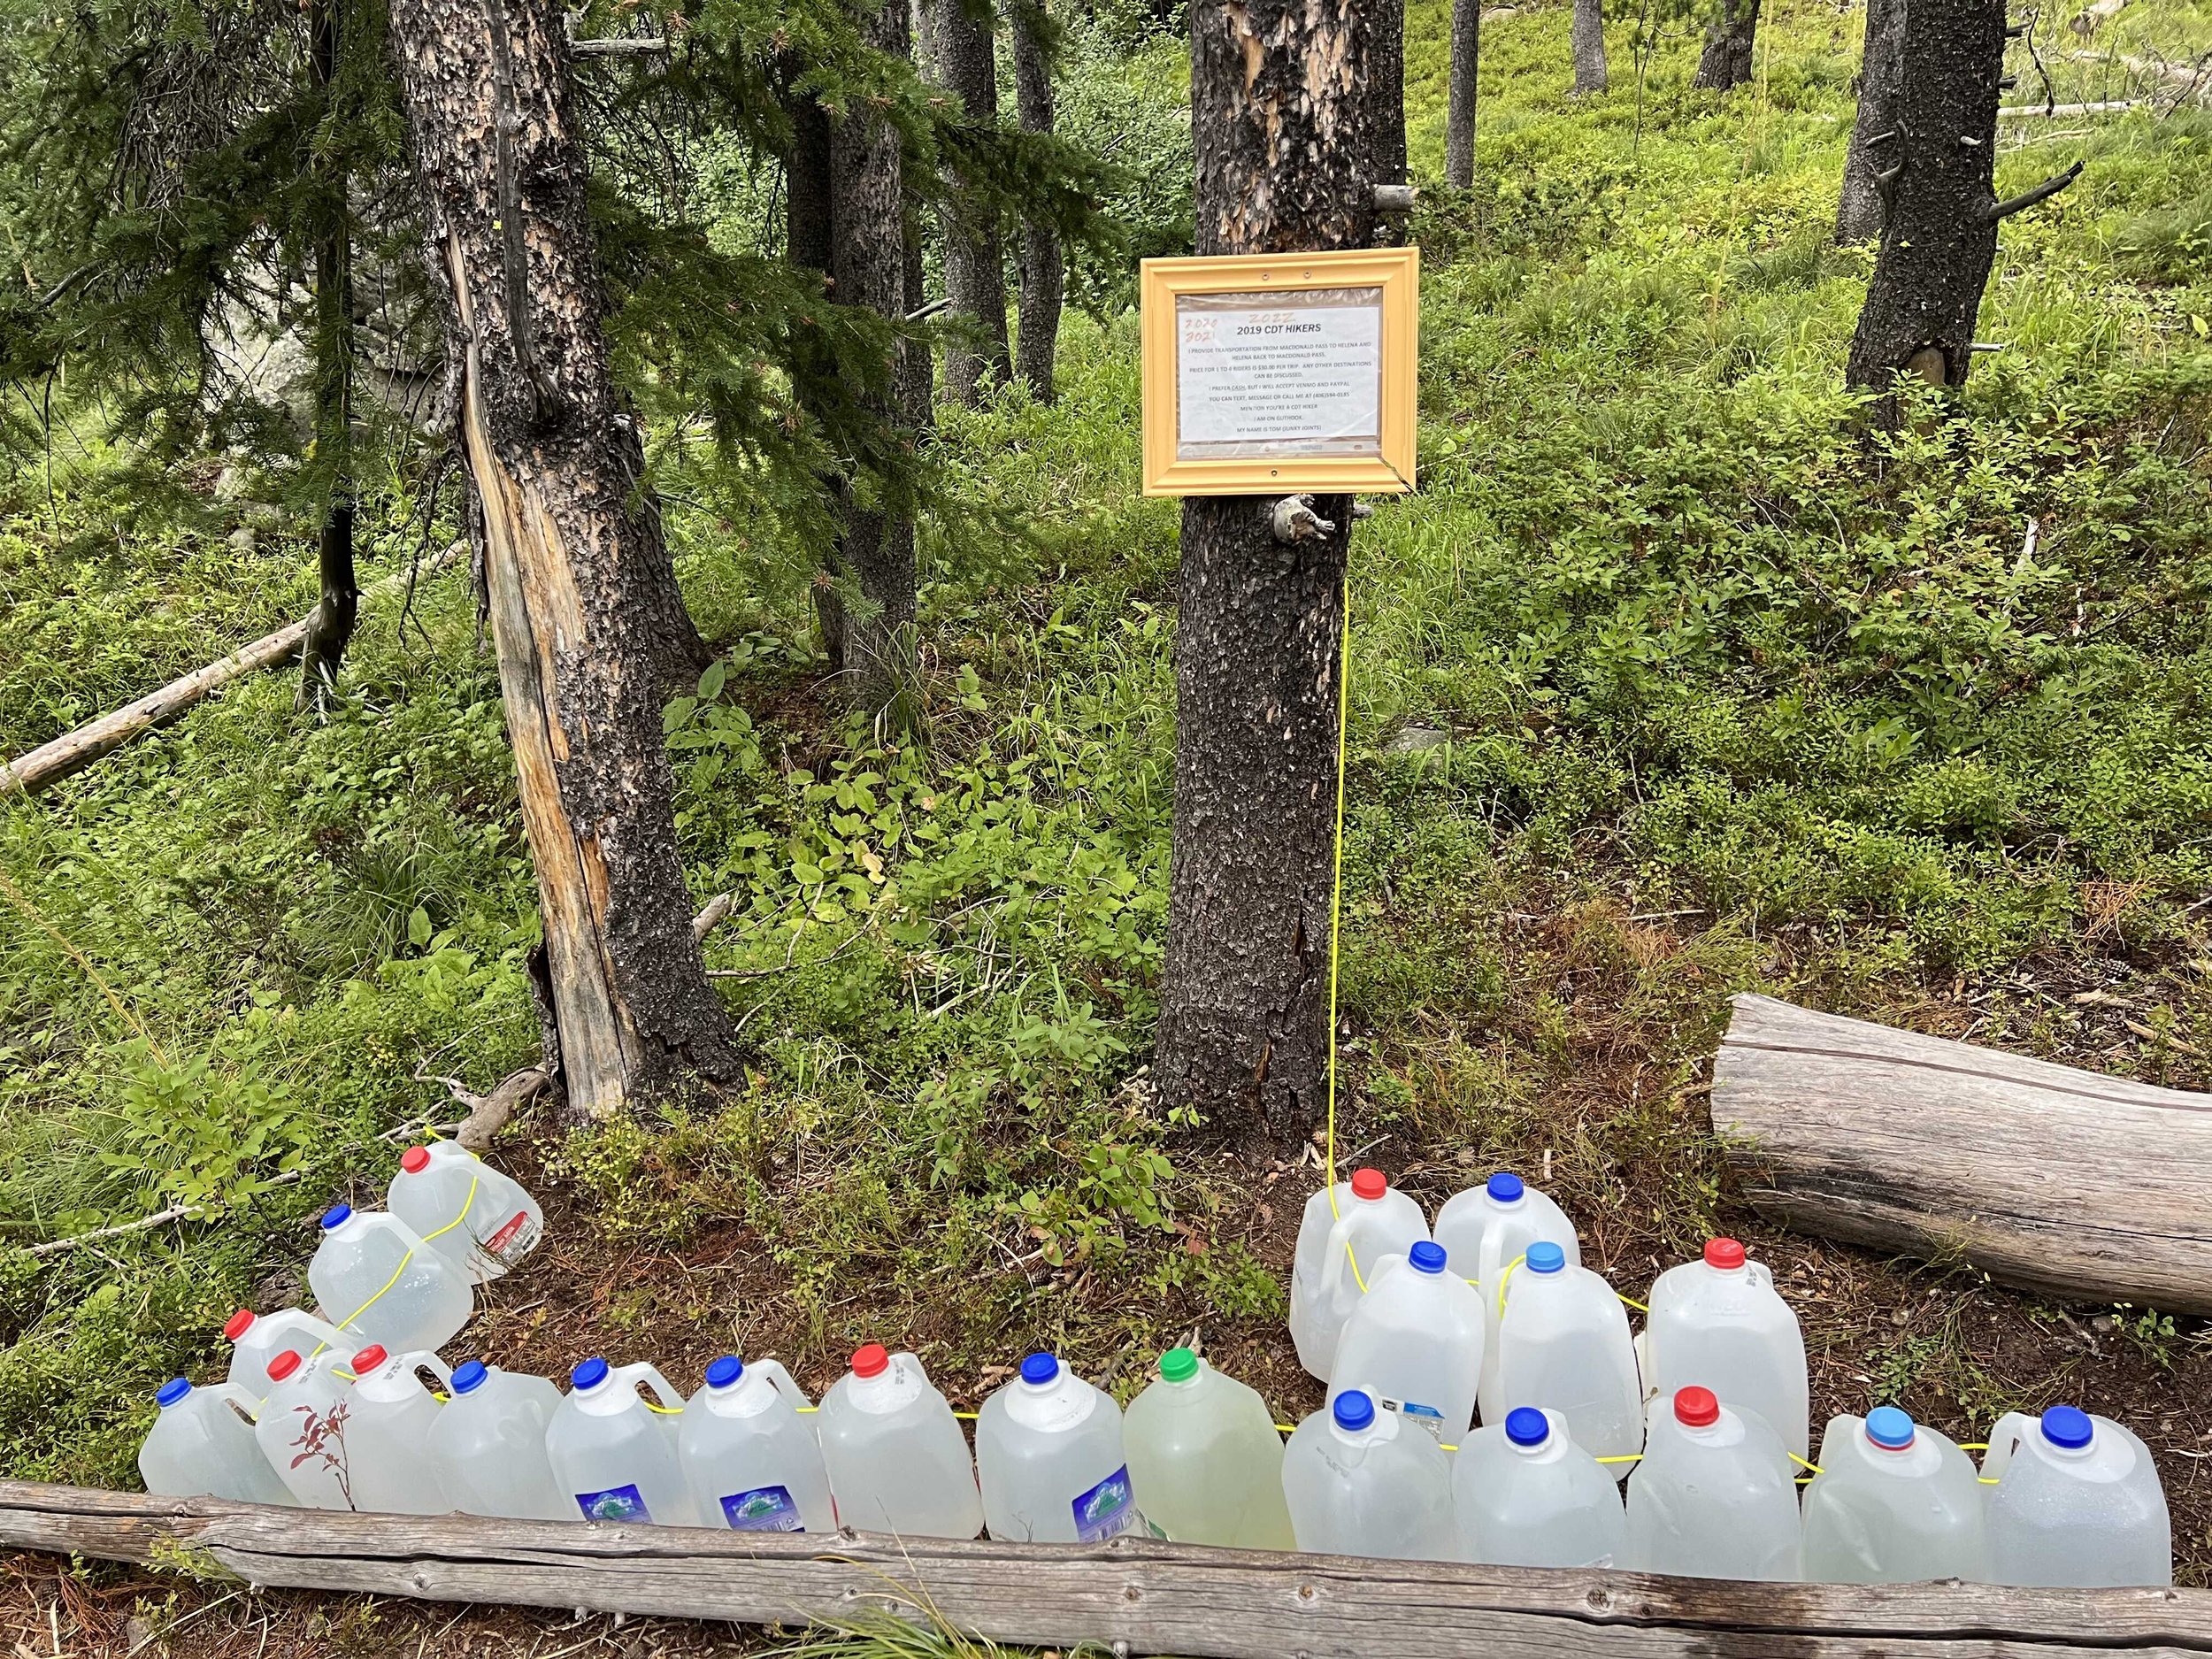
{"type": "Point", "coordinates": [1722, 1326]}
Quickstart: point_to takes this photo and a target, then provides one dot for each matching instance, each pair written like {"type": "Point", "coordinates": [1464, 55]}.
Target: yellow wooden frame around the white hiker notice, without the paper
{"type": "Point", "coordinates": [1165, 284]}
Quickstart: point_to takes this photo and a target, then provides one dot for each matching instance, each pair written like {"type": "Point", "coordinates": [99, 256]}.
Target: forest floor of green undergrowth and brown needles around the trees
{"type": "Point", "coordinates": [1662, 689]}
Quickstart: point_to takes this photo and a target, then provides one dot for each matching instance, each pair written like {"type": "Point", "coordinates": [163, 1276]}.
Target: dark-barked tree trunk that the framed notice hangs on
{"type": "Point", "coordinates": [1282, 107]}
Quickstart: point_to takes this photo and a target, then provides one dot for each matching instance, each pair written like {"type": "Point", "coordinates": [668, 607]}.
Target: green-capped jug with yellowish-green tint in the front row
{"type": "Point", "coordinates": [1204, 1452]}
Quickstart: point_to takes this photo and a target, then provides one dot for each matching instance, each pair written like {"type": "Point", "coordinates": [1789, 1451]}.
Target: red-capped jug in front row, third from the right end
{"type": "Point", "coordinates": [1715, 1496]}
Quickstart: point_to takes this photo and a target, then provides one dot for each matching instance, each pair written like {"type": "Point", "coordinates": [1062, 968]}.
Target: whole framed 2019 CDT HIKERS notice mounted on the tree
{"type": "Point", "coordinates": [1271, 375]}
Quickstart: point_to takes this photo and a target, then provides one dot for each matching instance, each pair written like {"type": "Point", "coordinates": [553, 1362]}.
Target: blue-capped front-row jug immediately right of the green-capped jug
{"type": "Point", "coordinates": [1366, 1483]}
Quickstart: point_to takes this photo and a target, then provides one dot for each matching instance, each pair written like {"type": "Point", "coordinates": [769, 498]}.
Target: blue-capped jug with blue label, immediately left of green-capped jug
{"type": "Point", "coordinates": [1050, 1461]}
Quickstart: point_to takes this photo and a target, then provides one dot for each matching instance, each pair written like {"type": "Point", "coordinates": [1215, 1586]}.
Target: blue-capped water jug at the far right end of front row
{"type": "Point", "coordinates": [2078, 1503]}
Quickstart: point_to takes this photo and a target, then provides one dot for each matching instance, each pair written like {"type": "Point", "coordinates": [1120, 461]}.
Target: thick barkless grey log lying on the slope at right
{"type": "Point", "coordinates": [2041, 1176]}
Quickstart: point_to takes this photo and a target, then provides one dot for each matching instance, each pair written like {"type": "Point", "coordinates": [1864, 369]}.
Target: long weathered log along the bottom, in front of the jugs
{"type": "Point", "coordinates": [1129, 1594]}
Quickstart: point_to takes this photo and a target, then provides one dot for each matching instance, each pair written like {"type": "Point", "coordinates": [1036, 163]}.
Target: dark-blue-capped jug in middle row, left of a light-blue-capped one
{"type": "Point", "coordinates": [1415, 1342]}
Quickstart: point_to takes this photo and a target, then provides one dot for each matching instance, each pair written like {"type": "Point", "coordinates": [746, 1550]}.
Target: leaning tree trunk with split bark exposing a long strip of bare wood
{"type": "Point", "coordinates": [581, 585]}
